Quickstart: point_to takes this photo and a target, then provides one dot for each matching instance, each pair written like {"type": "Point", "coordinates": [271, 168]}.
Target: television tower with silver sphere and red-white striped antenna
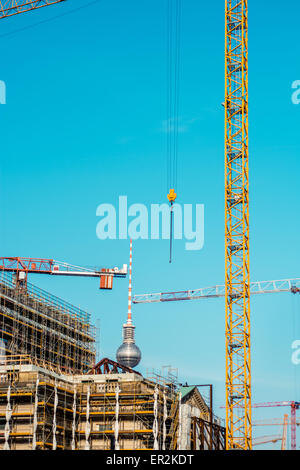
{"type": "Point", "coordinates": [128, 353]}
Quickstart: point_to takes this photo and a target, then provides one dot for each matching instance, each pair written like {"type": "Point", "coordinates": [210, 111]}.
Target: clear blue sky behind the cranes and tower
{"type": "Point", "coordinates": [86, 99]}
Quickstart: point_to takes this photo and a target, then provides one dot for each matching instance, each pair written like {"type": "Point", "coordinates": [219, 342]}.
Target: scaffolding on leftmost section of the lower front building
{"type": "Point", "coordinates": [35, 408]}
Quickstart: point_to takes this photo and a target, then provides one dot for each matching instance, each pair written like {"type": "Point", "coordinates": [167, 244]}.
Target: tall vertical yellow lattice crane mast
{"type": "Point", "coordinates": [237, 292]}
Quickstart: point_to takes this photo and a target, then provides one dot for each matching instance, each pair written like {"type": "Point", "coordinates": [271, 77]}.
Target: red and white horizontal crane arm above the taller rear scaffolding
{"type": "Point", "coordinates": [21, 267]}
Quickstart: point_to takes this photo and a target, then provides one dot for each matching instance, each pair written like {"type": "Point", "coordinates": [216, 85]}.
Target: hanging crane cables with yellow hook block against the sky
{"type": "Point", "coordinates": [173, 89]}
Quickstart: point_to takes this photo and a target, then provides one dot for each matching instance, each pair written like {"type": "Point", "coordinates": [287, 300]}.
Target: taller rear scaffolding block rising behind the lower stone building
{"type": "Point", "coordinates": [48, 329]}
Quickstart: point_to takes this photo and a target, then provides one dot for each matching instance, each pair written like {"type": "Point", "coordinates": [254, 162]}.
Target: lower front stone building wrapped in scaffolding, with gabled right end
{"type": "Point", "coordinates": [41, 409]}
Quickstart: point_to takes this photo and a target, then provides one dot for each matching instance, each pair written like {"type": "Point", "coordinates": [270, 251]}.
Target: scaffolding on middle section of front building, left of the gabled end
{"type": "Point", "coordinates": [124, 413]}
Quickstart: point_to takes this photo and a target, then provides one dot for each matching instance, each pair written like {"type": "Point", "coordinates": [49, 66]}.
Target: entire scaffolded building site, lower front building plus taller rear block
{"type": "Point", "coordinates": [53, 396]}
